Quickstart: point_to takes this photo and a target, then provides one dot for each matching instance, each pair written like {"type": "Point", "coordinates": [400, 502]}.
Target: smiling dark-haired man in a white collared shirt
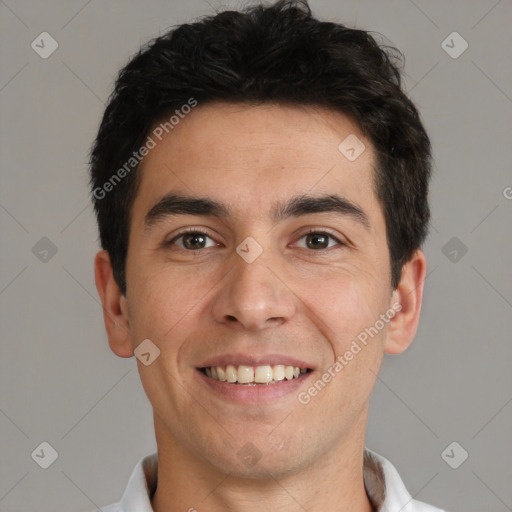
{"type": "Point", "coordinates": [260, 182]}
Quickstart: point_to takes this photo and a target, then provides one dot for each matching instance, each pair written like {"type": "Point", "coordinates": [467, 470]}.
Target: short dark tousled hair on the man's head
{"type": "Point", "coordinates": [266, 54]}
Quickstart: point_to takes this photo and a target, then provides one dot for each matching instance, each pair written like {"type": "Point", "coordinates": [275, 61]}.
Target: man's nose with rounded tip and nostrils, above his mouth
{"type": "Point", "coordinates": [254, 296]}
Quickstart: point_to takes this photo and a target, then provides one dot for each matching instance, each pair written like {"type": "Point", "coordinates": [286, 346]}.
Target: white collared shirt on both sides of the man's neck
{"type": "Point", "coordinates": [383, 484]}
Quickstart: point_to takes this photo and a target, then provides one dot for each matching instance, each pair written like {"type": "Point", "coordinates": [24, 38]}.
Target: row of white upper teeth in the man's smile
{"type": "Point", "coordinates": [254, 374]}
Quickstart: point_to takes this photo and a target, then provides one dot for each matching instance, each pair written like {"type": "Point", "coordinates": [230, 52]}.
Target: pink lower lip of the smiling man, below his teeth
{"type": "Point", "coordinates": [253, 394]}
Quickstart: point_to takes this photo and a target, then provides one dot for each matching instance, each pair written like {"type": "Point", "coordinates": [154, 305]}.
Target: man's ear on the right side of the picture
{"type": "Point", "coordinates": [409, 294]}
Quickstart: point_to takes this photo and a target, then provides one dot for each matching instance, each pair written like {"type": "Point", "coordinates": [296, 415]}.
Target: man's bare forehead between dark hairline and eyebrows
{"type": "Point", "coordinates": [253, 156]}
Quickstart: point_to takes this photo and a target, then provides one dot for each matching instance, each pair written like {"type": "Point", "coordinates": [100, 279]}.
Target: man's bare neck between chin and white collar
{"type": "Point", "coordinates": [334, 482]}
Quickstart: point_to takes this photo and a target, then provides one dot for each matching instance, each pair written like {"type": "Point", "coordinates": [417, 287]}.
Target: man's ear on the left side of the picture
{"type": "Point", "coordinates": [115, 307]}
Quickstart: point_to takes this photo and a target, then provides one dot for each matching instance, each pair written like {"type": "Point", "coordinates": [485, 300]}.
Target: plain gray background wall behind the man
{"type": "Point", "coordinates": [60, 383]}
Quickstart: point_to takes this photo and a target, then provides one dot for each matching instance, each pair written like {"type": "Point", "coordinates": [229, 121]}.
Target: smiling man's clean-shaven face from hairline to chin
{"type": "Point", "coordinates": [210, 299]}
